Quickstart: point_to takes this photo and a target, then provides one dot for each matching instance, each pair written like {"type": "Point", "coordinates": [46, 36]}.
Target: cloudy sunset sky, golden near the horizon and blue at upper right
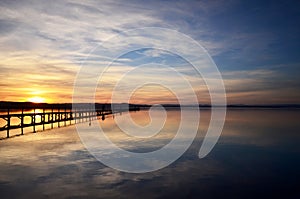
{"type": "Point", "coordinates": [46, 45]}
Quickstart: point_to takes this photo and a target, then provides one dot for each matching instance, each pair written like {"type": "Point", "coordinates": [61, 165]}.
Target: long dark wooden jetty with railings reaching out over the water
{"type": "Point", "coordinates": [48, 115]}
